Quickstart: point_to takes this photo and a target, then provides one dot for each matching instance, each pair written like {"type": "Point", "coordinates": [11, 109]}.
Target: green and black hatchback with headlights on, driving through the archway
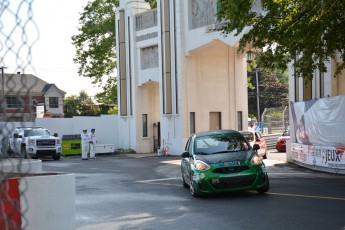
{"type": "Point", "coordinates": [222, 161]}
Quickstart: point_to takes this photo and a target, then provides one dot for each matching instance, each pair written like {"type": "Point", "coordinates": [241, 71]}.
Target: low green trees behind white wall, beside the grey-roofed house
{"type": "Point", "coordinates": [81, 105]}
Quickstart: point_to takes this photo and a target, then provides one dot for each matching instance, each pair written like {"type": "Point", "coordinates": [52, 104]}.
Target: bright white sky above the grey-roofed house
{"type": "Point", "coordinates": [49, 51]}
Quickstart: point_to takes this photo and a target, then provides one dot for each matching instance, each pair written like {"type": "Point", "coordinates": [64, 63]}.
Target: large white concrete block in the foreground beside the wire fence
{"type": "Point", "coordinates": [48, 202]}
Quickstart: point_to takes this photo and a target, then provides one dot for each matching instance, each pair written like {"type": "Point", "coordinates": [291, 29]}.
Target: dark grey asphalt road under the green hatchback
{"type": "Point", "coordinates": [120, 192]}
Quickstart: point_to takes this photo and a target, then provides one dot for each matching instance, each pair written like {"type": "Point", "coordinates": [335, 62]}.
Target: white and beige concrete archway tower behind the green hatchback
{"type": "Point", "coordinates": [177, 74]}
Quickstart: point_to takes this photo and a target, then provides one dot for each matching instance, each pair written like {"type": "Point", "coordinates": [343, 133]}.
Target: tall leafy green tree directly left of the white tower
{"type": "Point", "coordinates": [96, 46]}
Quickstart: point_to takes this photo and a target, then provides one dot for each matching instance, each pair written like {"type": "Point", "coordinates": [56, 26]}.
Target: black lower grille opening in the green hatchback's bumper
{"type": "Point", "coordinates": [233, 182]}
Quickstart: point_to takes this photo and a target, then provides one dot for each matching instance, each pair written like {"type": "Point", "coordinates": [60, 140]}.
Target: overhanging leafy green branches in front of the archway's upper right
{"type": "Point", "coordinates": [312, 30]}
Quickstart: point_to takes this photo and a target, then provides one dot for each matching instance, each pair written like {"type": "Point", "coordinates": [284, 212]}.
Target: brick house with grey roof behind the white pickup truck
{"type": "Point", "coordinates": [23, 95]}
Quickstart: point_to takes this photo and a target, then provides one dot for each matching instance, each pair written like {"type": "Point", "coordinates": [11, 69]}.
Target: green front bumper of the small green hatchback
{"type": "Point", "coordinates": [253, 178]}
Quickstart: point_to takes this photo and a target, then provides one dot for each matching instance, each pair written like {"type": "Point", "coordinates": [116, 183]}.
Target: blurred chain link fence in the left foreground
{"type": "Point", "coordinates": [18, 34]}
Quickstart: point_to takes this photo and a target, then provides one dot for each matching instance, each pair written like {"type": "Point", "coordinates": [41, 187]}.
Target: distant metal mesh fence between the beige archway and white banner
{"type": "Point", "coordinates": [275, 120]}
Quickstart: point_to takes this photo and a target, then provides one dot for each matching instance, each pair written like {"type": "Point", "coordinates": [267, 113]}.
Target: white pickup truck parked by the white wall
{"type": "Point", "coordinates": [34, 142]}
